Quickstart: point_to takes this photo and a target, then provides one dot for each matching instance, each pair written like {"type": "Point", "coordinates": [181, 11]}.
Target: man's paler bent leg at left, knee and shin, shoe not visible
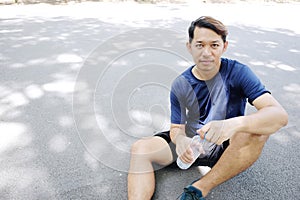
{"type": "Point", "coordinates": [141, 180]}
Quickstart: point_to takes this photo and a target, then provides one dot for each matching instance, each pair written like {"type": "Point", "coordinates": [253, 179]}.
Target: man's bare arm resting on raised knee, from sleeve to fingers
{"type": "Point", "coordinates": [269, 118]}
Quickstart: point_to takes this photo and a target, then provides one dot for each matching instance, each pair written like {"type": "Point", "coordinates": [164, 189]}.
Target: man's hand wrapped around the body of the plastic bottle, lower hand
{"type": "Point", "coordinates": [183, 149]}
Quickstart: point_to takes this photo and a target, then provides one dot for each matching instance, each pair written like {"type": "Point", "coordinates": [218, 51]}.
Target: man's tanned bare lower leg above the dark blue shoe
{"type": "Point", "coordinates": [243, 151]}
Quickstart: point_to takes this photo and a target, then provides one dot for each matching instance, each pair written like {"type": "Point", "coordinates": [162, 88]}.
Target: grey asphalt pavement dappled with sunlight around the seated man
{"type": "Point", "coordinates": [81, 82]}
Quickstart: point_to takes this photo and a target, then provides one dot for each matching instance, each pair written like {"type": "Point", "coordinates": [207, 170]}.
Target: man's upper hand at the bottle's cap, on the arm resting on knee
{"type": "Point", "coordinates": [218, 131]}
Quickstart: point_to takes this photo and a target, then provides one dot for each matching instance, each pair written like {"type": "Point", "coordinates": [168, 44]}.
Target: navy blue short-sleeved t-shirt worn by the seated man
{"type": "Point", "coordinates": [195, 102]}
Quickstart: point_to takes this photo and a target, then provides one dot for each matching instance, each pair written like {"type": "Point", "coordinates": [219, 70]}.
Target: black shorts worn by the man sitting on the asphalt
{"type": "Point", "coordinates": [209, 160]}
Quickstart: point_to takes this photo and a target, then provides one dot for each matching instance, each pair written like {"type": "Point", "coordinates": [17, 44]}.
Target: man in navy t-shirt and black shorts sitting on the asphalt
{"type": "Point", "coordinates": [209, 99]}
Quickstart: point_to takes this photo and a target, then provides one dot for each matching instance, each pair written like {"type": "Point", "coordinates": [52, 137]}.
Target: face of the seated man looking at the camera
{"type": "Point", "coordinates": [206, 49]}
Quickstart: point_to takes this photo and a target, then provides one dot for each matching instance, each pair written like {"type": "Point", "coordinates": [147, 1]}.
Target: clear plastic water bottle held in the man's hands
{"type": "Point", "coordinates": [197, 147]}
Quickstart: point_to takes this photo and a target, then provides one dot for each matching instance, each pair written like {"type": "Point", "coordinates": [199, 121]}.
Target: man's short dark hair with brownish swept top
{"type": "Point", "coordinates": [210, 23]}
